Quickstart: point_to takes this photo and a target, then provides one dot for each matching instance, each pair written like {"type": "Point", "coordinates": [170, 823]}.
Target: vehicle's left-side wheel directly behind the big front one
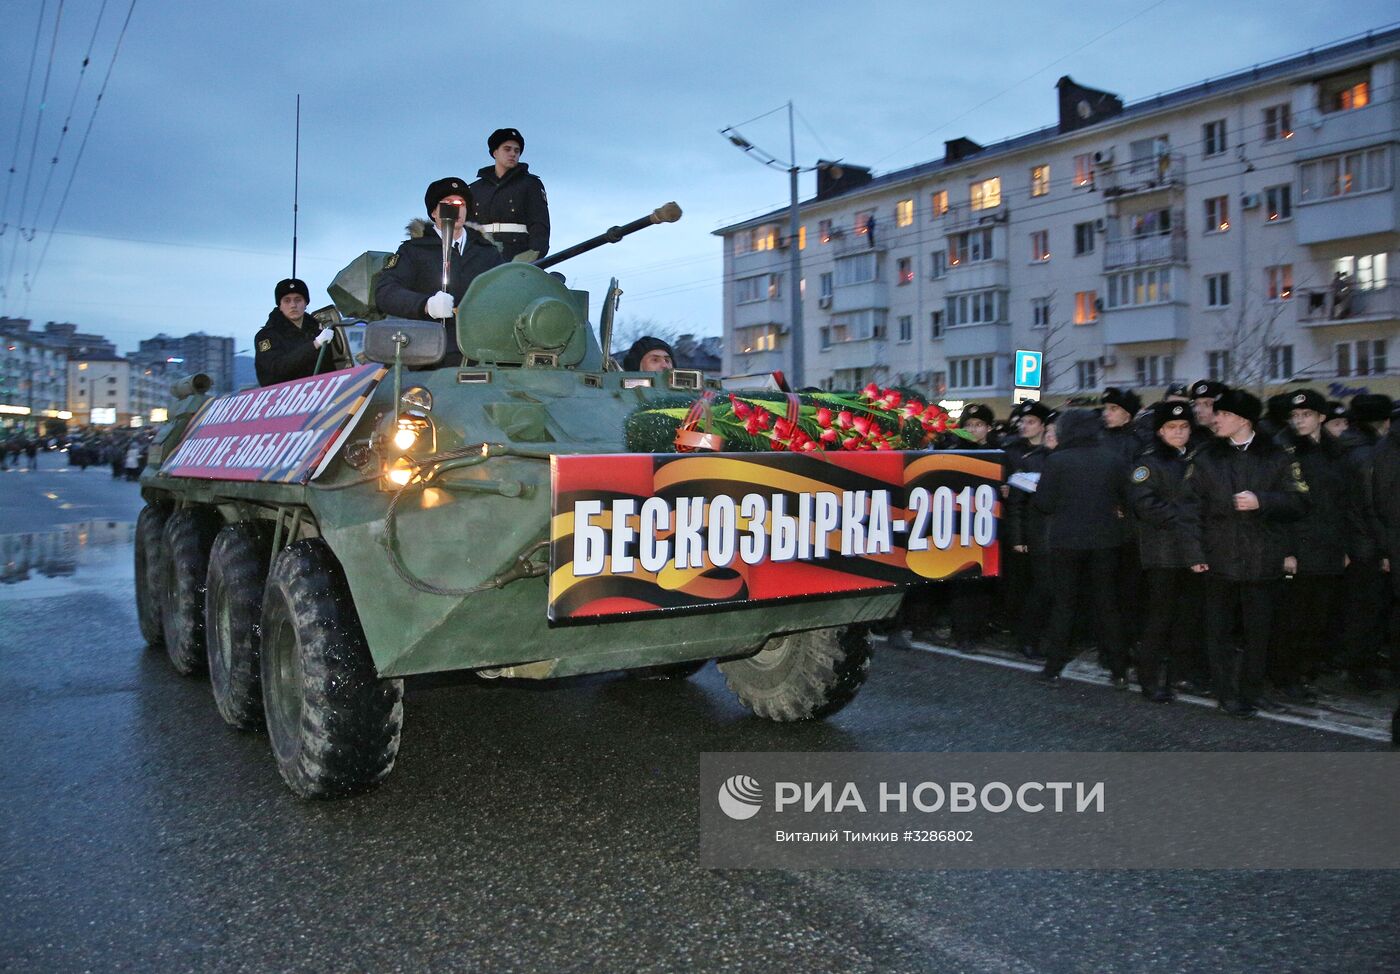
{"type": "Point", "coordinates": [233, 621]}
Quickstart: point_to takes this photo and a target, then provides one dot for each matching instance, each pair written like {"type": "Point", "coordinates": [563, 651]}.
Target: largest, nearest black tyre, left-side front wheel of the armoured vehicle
{"type": "Point", "coordinates": [332, 720]}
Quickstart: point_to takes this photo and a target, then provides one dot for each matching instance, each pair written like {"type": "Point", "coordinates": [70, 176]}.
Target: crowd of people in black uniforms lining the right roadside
{"type": "Point", "coordinates": [1210, 542]}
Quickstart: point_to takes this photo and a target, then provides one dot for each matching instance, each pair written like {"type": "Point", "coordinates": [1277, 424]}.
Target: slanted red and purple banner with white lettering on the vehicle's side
{"type": "Point", "coordinates": [281, 433]}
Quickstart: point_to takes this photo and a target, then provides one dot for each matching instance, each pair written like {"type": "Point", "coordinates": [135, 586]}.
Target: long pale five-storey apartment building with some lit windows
{"type": "Point", "coordinates": [1242, 229]}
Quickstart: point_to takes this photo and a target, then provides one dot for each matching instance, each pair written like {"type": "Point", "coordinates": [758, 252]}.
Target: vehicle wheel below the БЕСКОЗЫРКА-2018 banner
{"type": "Point", "coordinates": [803, 675]}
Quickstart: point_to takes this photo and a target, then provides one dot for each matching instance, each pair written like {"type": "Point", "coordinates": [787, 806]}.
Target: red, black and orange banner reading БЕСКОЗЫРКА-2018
{"type": "Point", "coordinates": [643, 534]}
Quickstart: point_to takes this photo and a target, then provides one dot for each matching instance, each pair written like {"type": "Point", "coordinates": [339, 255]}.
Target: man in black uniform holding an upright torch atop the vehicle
{"type": "Point", "coordinates": [411, 285]}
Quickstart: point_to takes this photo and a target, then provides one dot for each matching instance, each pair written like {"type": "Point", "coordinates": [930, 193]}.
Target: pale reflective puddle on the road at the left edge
{"type": "Point", "coordinates": [85, 556]}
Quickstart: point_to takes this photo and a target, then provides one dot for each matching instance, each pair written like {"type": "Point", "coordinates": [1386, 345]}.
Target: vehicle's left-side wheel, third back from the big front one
{"type": "Point", "coordinates": [190, 535]}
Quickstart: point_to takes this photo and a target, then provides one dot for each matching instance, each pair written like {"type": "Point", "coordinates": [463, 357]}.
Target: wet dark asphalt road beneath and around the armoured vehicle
{"type": "Point", "coordinates": [552, 828]}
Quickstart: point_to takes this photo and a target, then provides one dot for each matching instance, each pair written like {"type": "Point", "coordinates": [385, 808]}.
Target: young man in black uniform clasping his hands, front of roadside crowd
{"type": "Point", "coordinates": [1242, 489]}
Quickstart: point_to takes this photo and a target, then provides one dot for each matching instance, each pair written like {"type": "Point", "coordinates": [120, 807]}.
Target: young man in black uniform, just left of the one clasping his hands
{"type": "Point", "coordinates": [1172, 593]}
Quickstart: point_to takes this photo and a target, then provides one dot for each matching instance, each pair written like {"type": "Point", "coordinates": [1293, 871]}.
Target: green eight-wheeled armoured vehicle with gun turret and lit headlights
{"type": "Point", "coordinates": [421, 542]}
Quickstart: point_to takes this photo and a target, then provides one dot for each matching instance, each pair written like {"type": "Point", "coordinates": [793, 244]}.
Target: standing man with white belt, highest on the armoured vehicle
{"type": "Point", "coordinates": [509, 201]}
